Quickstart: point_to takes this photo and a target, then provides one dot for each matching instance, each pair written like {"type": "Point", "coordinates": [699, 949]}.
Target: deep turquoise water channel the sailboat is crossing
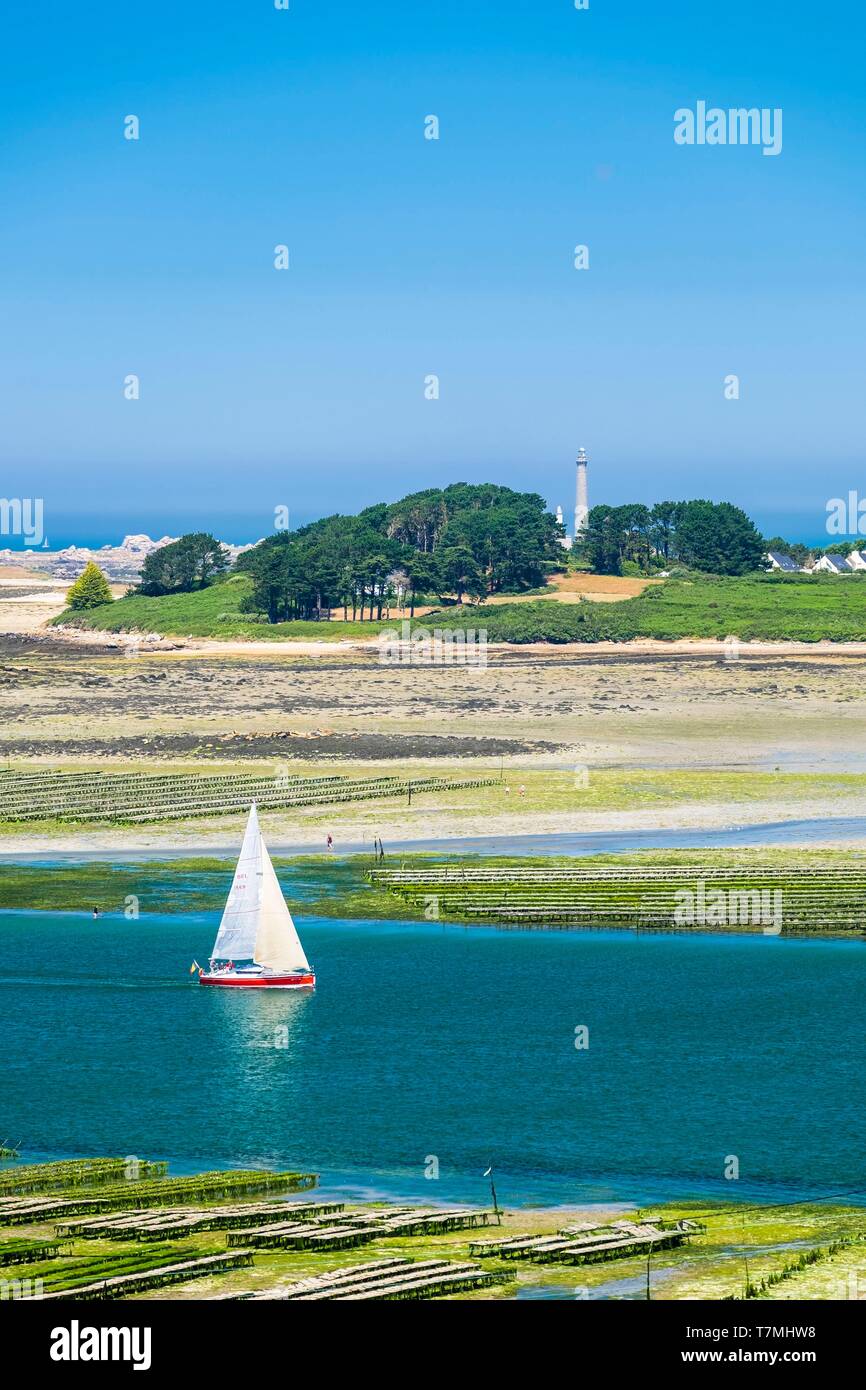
{"type": "Point", "coordinates": [441, 1042]}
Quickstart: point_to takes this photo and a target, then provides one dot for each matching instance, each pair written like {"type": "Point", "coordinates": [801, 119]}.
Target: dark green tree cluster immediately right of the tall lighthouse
{"type": "Point", "coordinates": [715, 537]}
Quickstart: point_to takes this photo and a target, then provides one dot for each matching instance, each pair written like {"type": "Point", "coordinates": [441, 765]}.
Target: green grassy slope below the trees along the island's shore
{"type": "Point", "coordinates": [790, 608]}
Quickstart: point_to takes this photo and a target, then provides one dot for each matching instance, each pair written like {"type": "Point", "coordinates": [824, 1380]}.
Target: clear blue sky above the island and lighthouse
{"type": "Point", "coordinates": [412, 258]}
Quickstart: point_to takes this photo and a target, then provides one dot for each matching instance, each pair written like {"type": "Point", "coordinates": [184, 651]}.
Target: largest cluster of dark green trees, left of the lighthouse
{"type": "Point", "coordinates": [464, 540]}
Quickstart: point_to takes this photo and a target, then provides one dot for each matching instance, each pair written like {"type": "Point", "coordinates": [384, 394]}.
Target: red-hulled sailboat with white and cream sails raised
{"type": "Point", "coordinates": [258, 945]}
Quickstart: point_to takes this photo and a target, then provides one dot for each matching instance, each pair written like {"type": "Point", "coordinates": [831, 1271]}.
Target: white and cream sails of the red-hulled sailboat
{"type": "Point", "coordinates": [256, 924]}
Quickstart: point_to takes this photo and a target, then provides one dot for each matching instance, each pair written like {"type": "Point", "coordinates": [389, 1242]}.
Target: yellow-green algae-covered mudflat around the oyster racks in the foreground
{"type": "Point", "coordinates": [797, 1252]}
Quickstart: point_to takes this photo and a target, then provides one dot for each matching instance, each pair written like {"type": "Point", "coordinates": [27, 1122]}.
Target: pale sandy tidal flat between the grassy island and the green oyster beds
{"type": "Point", "coordinates": [579, 742]}
